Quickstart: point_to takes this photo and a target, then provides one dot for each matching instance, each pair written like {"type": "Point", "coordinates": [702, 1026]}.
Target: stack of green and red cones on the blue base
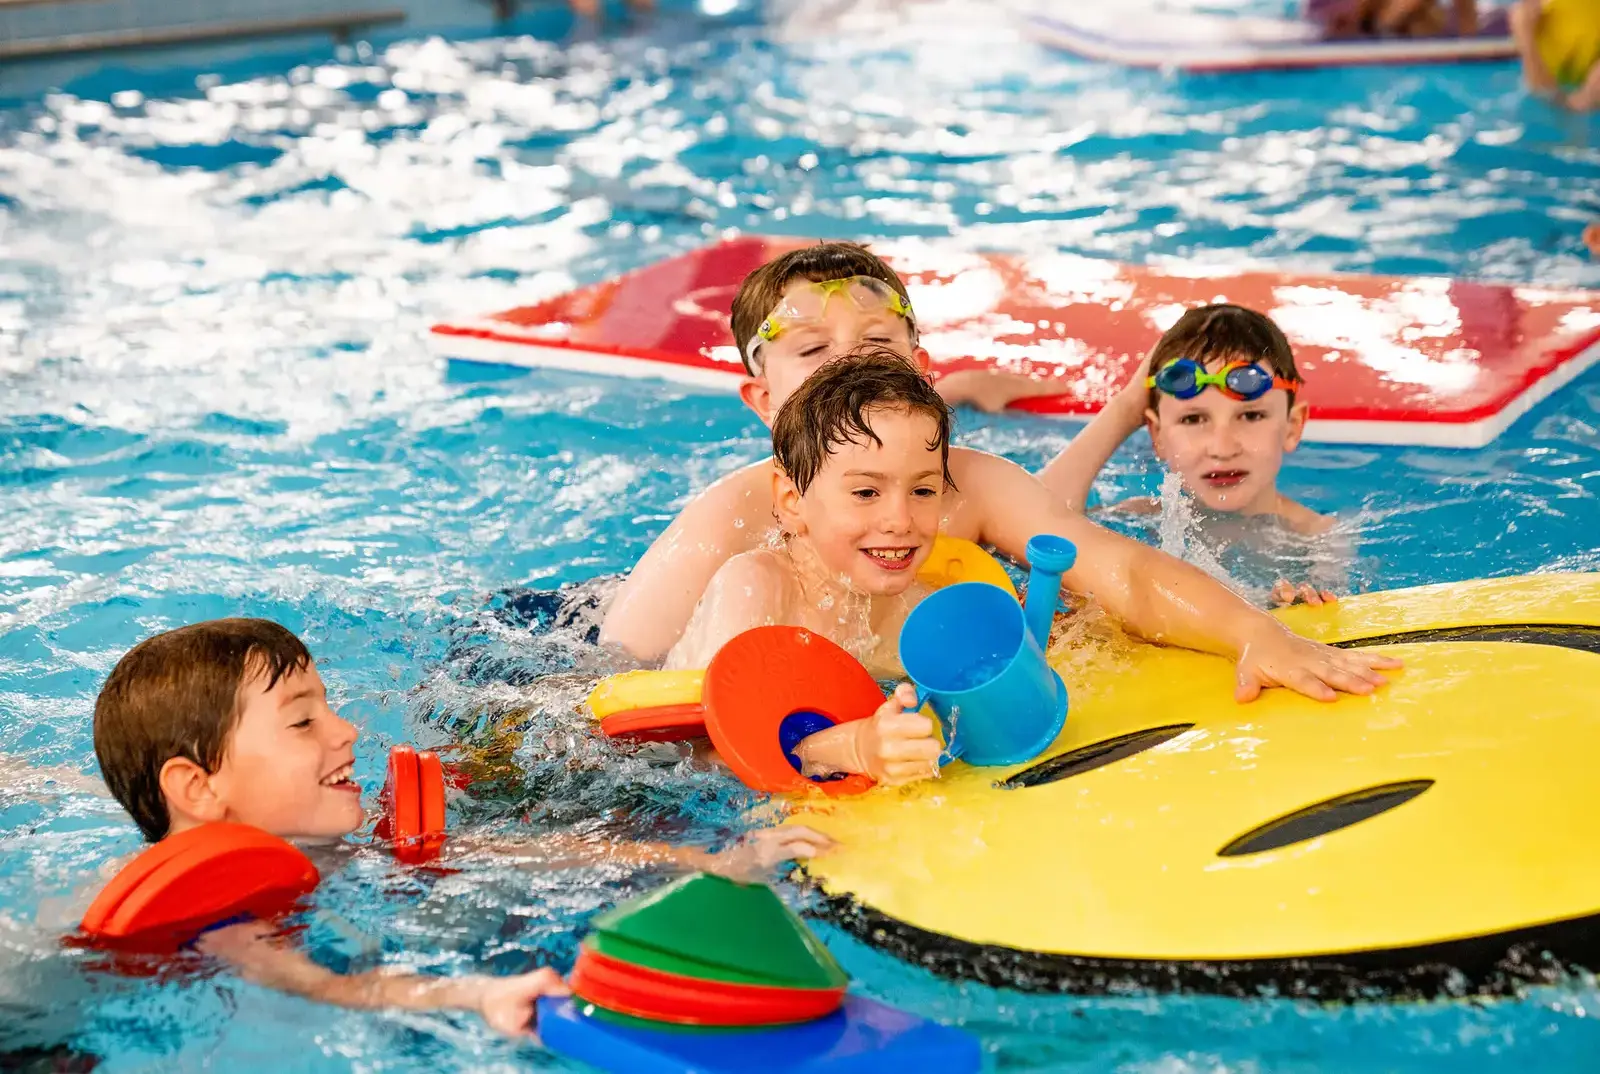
{"type": "Point", "coordinates": [708, 952]}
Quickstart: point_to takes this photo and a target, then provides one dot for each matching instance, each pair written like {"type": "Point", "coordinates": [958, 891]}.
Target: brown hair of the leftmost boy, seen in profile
{"type": "Point", "coordinates": [178, 695]}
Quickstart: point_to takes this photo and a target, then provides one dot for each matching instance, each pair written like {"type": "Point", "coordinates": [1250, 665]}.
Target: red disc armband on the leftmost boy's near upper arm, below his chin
{"type": "Point", "coordinates": [194, 880]}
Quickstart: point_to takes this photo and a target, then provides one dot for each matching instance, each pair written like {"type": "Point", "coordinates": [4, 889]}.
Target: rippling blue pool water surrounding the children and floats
{"type": "Point", "coordinates": [215, 289]}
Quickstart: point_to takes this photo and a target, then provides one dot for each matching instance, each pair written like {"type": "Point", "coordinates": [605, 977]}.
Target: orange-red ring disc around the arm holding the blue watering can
{"type": "Point", "coordinates": [766, 676]}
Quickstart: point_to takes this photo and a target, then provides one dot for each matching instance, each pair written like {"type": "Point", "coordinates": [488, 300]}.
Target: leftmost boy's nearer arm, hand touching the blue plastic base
{"type": "Point", "coordinates": [506, 1003]}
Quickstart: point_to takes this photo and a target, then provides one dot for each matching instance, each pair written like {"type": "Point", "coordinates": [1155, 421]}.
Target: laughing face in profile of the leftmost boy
{"type": "Point", "coordinates": [289, 763]}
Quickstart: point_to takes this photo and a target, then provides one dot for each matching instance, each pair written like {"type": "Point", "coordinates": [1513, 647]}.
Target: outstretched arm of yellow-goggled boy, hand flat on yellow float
{"type": "Point", "coordinates": [1161, 598]}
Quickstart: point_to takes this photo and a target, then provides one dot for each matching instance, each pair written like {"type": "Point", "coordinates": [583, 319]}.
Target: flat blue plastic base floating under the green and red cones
{"type": "Point", "coordinates": [862, 1038]}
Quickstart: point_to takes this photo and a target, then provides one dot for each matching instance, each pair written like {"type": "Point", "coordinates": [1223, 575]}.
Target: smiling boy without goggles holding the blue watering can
{"type": "Point", "coordinates": [863, 452]}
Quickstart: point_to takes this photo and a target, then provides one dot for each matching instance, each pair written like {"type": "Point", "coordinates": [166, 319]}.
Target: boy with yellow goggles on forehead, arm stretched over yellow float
{"type": "Point", "coordinates": [993, 502]}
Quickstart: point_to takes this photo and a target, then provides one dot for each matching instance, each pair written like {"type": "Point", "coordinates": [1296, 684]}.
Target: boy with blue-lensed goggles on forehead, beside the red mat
{"type": "Point", "coordinates": [1218, 396]}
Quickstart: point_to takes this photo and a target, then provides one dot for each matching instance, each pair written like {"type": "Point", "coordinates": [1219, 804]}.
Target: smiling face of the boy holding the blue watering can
{"type": "Point", "coordinates": [873, 513]}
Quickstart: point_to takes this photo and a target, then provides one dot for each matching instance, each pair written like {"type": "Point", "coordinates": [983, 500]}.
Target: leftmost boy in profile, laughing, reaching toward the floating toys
{"type": "Point", "coordinates": [230, 721]}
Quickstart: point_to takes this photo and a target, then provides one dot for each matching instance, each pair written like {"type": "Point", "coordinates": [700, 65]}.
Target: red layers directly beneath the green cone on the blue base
{"type": "Point", "coordinates": [646, 993]}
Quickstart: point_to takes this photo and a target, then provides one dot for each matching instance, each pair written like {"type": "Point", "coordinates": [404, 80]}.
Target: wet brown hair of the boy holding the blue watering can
{"type": "Point", "coordinates": [834, 406]}
